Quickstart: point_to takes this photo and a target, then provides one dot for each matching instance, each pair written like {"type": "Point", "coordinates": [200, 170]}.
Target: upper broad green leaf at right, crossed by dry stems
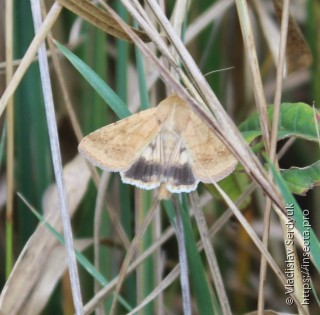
{"type": "Point", "coordinates": [296, 120]}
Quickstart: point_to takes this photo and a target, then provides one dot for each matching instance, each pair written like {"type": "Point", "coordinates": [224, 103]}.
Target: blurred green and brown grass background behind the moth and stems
{"type": "Point", "coordinates": [214, 38]}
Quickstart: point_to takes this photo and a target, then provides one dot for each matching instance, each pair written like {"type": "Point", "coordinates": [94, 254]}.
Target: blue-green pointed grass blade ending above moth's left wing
{"type": "Point", "coordinates": [102, 88]}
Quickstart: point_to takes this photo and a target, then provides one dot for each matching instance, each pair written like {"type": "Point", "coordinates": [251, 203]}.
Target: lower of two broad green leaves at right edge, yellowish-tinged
{"type": "Point", "coordinates": [300, 180]}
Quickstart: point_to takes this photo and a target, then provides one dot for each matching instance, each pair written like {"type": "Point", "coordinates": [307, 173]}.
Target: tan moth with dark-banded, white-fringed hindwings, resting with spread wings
{"type": "Point", "coordinates": [167, 145]}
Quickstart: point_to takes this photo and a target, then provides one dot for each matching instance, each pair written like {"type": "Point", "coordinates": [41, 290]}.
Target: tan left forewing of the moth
{"type": "Point", "coordinates": [117, 146]}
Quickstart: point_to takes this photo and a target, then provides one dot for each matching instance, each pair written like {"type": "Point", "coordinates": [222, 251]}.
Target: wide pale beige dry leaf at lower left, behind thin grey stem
{"type": "Point", "coordinates": [31, 263]}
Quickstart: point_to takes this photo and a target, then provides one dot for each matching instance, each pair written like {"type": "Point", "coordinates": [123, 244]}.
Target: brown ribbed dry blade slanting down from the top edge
{"type": "Point", "coordinates": [99, 18]}
